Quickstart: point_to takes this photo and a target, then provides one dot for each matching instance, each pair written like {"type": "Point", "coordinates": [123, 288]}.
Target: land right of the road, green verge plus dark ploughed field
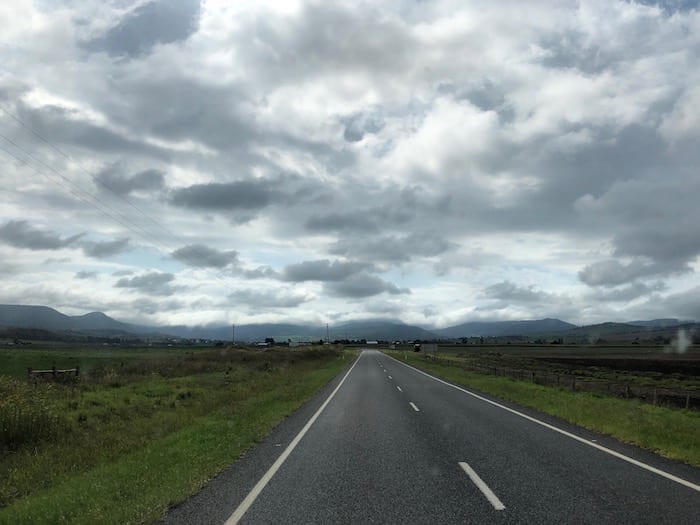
{"type": "Point", "coordinates": [641, 411]}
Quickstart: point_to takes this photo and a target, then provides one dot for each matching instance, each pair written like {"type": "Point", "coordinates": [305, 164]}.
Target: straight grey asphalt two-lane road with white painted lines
{"type": "Point", "coordinates": [389, 444]}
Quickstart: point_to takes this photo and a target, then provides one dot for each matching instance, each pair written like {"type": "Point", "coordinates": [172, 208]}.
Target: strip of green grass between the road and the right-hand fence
{"type": "Point", "coordinates": [670, 432]}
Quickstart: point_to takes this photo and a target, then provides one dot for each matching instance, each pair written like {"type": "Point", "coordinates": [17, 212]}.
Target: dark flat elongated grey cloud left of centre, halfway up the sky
{"type": "Point", "coordinates": [240, 195]}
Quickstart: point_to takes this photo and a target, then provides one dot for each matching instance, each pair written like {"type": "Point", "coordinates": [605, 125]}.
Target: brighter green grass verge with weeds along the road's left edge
{"type": "Point", "coordinates": [127, 461]}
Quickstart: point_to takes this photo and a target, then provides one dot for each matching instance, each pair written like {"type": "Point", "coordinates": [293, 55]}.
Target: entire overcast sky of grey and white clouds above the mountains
{"type": "Point", "coordinates": [433, 162]}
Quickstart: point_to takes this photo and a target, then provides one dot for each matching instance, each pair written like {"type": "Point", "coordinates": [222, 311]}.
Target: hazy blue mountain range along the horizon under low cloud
{"type": "Point", "coordinates": [97, 323]}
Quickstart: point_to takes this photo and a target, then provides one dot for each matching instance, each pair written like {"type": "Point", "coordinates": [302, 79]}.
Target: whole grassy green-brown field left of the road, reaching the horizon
{"type": "Point", "coordinates": [142, 428]}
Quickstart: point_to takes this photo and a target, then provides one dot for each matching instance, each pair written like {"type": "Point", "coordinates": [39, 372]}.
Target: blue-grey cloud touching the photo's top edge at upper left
{"type": "Point", "coordinates": [157, 22]}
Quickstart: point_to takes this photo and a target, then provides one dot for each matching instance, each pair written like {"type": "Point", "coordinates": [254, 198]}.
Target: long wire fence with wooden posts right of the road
{"type": "Point", "coordinates": [687, 399]}
